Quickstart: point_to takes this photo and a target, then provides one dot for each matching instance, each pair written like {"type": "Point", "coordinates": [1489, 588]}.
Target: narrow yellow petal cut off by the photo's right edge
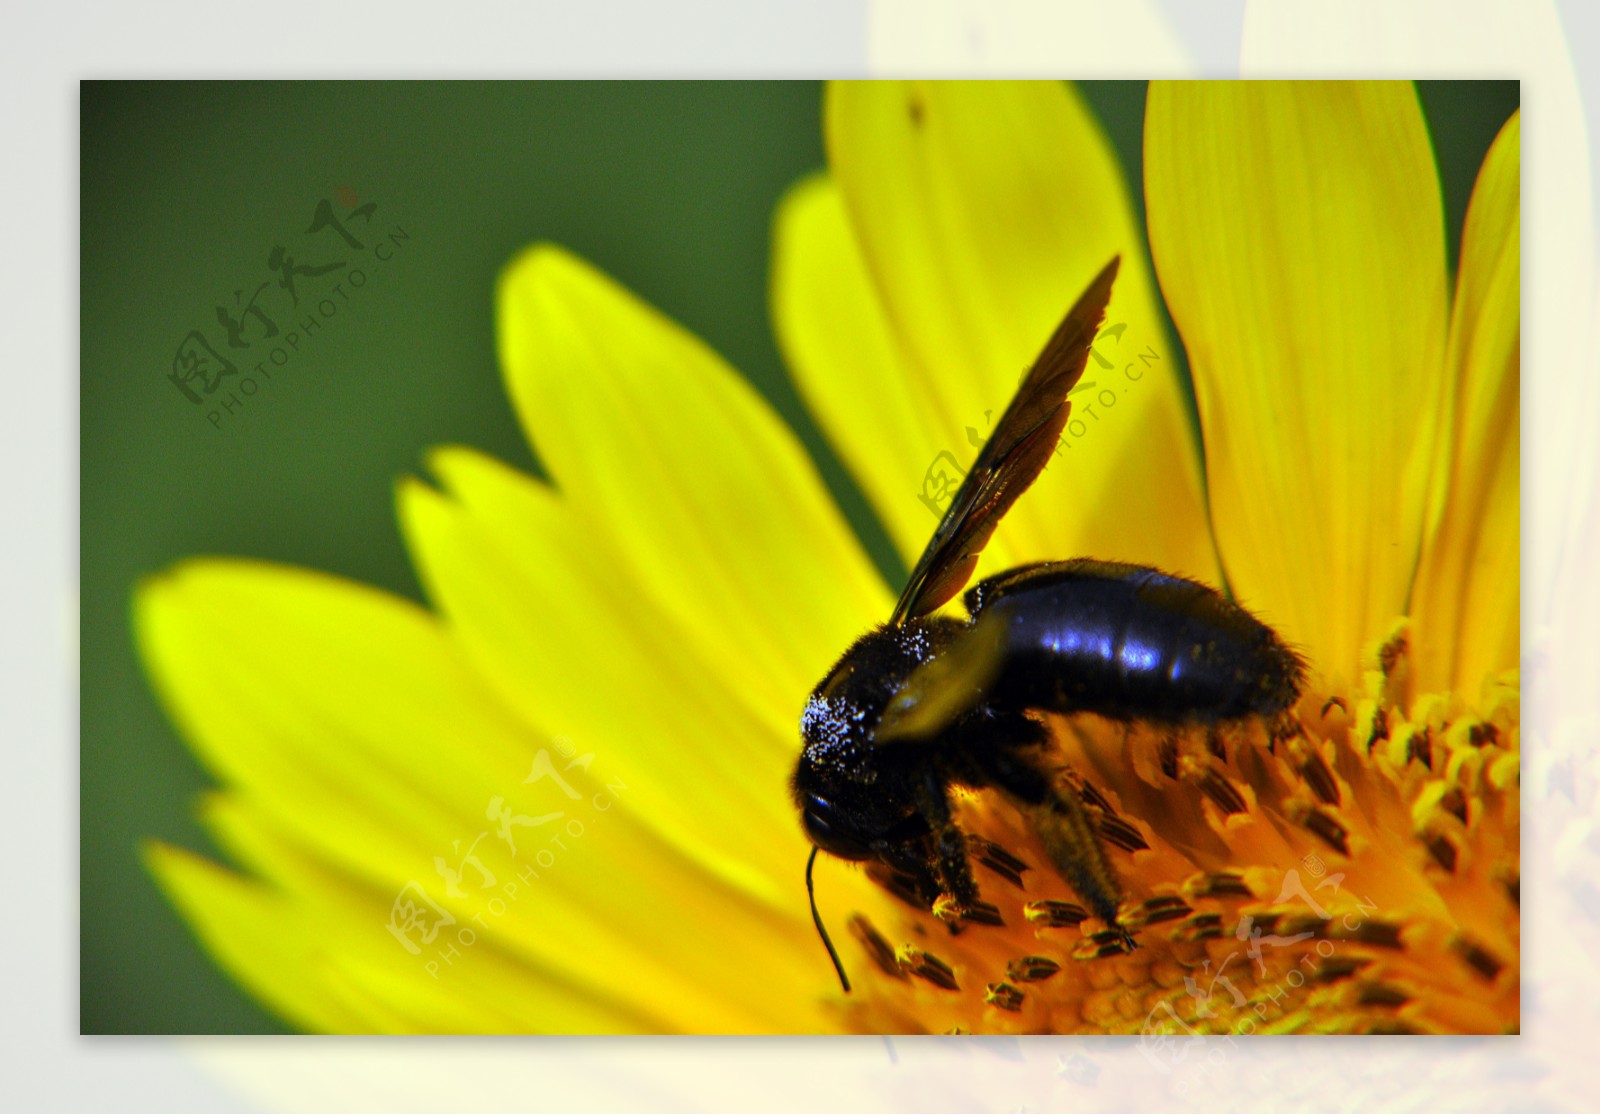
{"type": "Point", "coordinates": [1468, 589]}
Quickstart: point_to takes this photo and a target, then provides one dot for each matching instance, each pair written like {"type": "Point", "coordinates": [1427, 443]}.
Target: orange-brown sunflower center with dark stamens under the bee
{"type": "Point", "coordinates": [1353, 869]}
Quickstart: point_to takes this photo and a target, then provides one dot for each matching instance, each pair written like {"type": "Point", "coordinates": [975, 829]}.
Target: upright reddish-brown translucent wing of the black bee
{"type": "Point", "coordinates": [1012, 458]}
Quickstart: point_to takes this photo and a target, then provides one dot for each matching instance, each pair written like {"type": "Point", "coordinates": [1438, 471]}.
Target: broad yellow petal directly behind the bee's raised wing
{"type": "Point", "coordinates": [983, 210]}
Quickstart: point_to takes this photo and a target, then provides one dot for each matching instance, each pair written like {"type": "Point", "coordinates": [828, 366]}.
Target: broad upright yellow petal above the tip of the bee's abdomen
{"type": "Point", "coordinates": [1298, 236]}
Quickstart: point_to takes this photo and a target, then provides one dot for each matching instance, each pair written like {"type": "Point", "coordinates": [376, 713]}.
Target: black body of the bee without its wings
{"type": "Point", "coordinates": [1119, 641]}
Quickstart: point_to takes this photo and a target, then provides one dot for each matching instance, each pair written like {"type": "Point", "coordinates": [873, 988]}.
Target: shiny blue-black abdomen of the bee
{"type": "Point", "coordinates": [1132, 644]}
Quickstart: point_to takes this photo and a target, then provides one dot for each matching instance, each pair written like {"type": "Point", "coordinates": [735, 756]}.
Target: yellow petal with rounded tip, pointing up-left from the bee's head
{"type": "Point", "coordinates": [666, 452]}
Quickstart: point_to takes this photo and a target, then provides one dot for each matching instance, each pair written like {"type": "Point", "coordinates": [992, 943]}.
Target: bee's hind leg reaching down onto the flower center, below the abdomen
{"type": "Point", "coordinates": [1065, 826]}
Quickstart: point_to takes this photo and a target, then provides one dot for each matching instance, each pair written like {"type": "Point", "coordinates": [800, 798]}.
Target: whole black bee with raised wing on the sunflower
{"type": "Point", "coordinates": [926, 703]}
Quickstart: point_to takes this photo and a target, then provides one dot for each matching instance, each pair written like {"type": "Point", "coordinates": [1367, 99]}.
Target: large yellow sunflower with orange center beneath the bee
{"type": "Point", "coordinates": [556, 802]}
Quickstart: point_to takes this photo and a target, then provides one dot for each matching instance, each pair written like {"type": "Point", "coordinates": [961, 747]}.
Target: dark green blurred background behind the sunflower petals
{"type": "Point", "coordinates": [186, 188]}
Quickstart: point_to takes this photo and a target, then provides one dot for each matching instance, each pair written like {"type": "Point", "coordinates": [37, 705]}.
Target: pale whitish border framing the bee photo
{"type": "Point", "coordinates": [47, 1066]}
